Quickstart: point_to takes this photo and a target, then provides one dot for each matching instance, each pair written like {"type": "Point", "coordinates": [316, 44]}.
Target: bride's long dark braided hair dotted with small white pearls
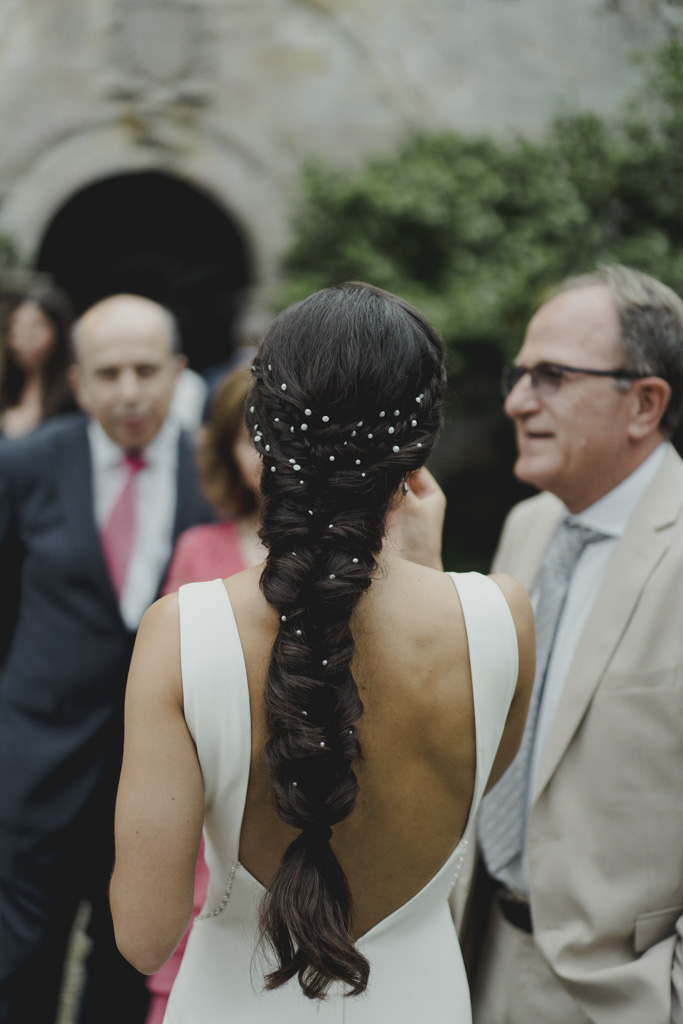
{"type": "Point", "coordinates": [346, 404]}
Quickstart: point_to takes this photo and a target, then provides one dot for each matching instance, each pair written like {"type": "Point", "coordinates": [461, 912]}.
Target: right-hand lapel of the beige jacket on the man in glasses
{"type": "Point", "coordinates": [644, 545]}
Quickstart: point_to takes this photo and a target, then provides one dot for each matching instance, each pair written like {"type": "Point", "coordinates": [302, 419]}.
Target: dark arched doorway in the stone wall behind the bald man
{"type": "Point", "coordinates": [155, 236]}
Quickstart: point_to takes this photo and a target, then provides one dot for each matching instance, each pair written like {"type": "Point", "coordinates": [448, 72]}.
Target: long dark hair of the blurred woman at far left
{"type": "Point", "coordinates": [58, 397]}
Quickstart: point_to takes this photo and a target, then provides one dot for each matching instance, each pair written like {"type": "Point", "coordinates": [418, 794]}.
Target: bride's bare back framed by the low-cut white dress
{"type": "Point", "coordinates": [417, 734]}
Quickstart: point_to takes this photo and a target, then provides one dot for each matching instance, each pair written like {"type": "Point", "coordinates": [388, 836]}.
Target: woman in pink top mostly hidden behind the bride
{"type": "Point", "coordinates": [230, 471]}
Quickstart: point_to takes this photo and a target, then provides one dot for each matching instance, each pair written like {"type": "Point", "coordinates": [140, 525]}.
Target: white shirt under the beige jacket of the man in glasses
{"type": "Point", "coordinates": [610, 516]}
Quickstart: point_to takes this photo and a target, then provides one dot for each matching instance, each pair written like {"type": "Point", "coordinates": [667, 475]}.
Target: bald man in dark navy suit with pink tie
{"type": "Point", "coordinates": [91, 507]}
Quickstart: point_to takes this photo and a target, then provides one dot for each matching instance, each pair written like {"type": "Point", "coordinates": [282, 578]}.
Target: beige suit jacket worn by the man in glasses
{"type": "Point", "coordinates": [606, 832]}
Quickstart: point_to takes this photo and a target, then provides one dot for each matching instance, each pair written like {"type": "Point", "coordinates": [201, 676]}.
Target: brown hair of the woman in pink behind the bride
{"type": "Point", "coordinates": [221, 477]}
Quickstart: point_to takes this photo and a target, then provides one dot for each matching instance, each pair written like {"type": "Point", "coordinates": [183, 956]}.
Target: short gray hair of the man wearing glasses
{"type": "Point", "coordinates": [651, 317]}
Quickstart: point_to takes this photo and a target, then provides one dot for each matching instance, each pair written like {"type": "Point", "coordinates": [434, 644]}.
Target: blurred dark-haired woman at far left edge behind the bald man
{"type": "Point", "coordinates": [33, 378]}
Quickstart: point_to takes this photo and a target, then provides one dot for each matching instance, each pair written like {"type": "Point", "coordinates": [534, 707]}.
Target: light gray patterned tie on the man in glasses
{"type": "Point", "coordinates": [503, 812]}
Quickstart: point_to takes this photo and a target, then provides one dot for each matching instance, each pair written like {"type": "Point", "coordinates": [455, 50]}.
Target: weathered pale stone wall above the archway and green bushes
{"type": "Point", "coordinates": [232, 96]}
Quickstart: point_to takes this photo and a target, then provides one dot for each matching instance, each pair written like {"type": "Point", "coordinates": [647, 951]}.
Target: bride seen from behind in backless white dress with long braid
{"type": "Point", "coordinates": [330, 718]}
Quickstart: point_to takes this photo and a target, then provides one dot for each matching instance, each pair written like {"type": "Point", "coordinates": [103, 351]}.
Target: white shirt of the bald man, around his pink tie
{"type": "Point", "coordinates": [156, 500]}
